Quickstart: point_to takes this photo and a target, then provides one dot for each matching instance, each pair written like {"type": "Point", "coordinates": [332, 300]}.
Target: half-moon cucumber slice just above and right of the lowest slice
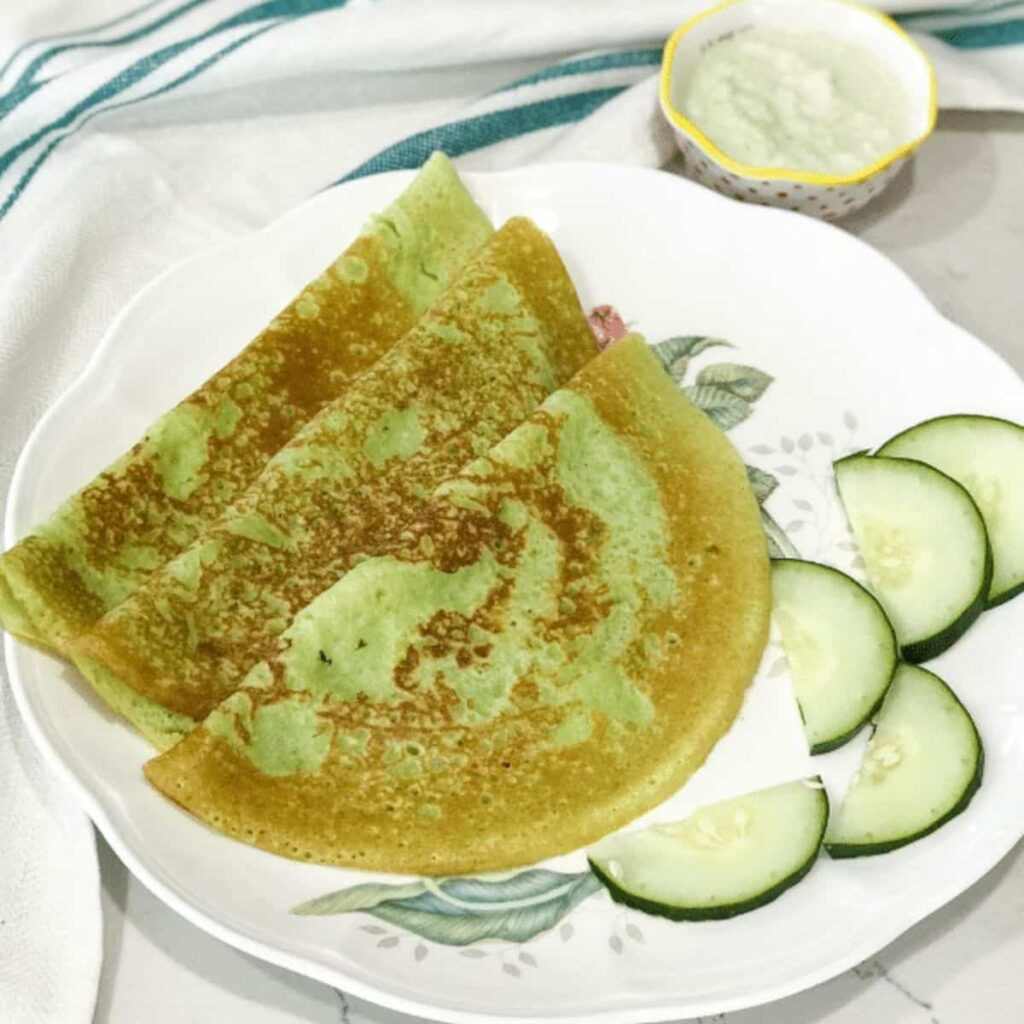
{"type": "Point", "coordinates": [922, 767]}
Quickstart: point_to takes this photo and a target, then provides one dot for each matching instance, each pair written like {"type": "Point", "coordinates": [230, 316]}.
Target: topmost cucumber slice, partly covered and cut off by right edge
{"type": "Point", "coordinates": [987, 456]}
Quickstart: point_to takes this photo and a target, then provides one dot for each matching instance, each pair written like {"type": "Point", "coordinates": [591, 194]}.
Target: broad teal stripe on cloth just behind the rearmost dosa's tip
{"type": "Point", "coordinates": [459, 138]}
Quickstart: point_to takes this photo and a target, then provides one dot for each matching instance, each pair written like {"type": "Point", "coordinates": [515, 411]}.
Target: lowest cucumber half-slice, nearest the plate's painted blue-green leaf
{"type": "Point", "coordinates": [723, 861]}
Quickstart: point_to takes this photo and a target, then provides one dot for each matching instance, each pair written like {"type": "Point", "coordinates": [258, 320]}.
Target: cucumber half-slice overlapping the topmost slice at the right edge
{"type": "Point", "coordinates": [924, 545]}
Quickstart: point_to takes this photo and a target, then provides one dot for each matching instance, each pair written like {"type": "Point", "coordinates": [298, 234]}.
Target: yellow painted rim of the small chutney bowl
{"type": "Point", "coordinates": [783, 174]}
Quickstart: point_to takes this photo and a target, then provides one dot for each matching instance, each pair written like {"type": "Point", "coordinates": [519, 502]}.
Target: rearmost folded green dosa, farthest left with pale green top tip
{"type": "Point", "coordinates": [101, 545]}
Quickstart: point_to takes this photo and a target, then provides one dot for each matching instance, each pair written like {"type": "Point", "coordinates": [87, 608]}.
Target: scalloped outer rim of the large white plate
{"type": "Point", "coordinates": [165, 888]}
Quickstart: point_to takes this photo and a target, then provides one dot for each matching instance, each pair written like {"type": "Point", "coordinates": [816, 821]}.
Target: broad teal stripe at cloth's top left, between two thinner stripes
{"type": "Point", "coordinates": [273, 11]}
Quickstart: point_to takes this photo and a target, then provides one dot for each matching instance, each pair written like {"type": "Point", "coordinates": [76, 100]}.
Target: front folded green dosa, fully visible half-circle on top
{"type": "Point", "coordinates": [548, 652]}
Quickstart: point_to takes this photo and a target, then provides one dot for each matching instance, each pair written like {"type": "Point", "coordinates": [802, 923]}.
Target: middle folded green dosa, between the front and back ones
{"type": "Point", "coordinates": [505, 335]}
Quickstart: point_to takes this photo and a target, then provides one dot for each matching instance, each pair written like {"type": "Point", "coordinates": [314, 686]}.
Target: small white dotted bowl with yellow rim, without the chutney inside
{"type": "Point", "coordinates": [825, 196]}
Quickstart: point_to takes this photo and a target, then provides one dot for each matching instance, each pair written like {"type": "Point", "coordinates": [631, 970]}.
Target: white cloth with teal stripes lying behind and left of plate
{"type": "Point", "coordinates": [144, 134]}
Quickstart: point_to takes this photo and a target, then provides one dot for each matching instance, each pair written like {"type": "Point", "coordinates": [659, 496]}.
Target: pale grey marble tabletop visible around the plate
{"type": "Point", "coordinates": [955, 222]}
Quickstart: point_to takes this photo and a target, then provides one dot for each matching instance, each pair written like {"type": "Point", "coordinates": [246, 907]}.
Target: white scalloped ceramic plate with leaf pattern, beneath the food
{"type": "Point", "coordinates": [857, 354]}
